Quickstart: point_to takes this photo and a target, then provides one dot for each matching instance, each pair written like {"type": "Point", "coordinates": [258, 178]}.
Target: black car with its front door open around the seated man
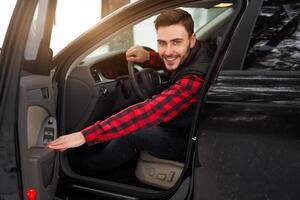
{"type": "Point", "coordinates": [244, 142]}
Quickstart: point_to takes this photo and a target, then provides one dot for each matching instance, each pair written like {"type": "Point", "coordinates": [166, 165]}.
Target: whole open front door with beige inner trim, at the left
{"type": "Point", "coordinates": [20, 151]}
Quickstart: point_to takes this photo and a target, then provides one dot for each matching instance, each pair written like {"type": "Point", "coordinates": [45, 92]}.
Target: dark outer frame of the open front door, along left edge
{"type": "Point", "coordinates": [11, 64]}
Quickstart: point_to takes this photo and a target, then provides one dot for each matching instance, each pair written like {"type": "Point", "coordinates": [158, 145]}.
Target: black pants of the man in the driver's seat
{"type": "Point", "coordinates": [160, 142]}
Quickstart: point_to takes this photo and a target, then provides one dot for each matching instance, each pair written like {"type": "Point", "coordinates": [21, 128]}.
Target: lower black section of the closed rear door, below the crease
{"type": "Point", "coordinates": [249, 152]}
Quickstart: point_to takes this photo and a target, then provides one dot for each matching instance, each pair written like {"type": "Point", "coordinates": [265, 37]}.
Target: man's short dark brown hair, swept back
{"type": "Point", "coordinates": [175, 16]}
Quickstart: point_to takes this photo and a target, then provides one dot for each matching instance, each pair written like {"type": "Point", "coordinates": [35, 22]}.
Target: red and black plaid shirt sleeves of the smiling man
{"type": "Point", "coordinates": [160, 108]}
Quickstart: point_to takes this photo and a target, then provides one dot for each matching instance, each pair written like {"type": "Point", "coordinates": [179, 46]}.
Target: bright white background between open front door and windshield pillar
{"type": "Point", "coordinates": [75, 17]}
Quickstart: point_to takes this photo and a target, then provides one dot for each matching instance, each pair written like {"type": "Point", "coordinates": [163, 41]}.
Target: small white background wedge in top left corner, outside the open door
{"type": "Point", "coordinates": [6, 11]}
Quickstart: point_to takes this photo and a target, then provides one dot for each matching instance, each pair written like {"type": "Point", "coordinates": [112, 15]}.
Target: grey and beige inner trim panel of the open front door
{"type": "Point", "coordinates": [37, 126]}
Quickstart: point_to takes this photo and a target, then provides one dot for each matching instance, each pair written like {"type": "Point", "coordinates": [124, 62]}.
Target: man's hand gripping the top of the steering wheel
{"type": "Point", "coordinates": [137, 54]}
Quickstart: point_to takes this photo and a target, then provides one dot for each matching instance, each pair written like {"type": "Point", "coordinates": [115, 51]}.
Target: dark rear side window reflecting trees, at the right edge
{"type": "Point", "coordinates": [275, 41]}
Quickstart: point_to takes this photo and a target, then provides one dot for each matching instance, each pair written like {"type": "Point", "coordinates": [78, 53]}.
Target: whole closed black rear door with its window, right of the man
{"type": "Point", "coordinates": [249, 139]}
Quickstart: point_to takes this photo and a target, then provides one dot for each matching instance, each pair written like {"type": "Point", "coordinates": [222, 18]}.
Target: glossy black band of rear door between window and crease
{"type": "Point", "coordinates": [267, 90]}
